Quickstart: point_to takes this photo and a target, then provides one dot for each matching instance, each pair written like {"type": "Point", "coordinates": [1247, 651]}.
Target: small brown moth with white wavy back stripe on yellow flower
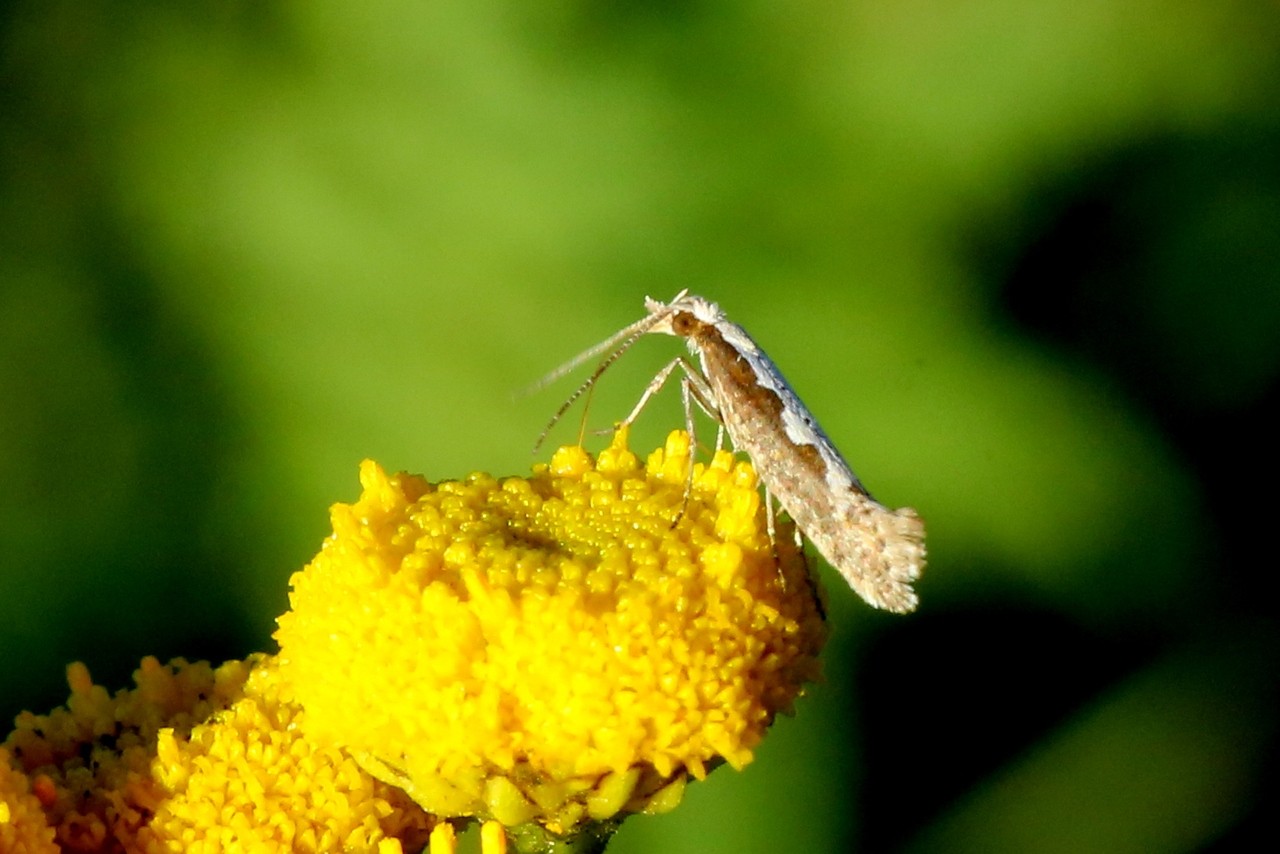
{"type": "Point", "coordinates": [879, 551]}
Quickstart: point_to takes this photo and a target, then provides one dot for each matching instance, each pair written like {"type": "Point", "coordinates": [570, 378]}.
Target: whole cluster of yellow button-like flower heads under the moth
{"type": "Point", "coordinates": [546, 655]}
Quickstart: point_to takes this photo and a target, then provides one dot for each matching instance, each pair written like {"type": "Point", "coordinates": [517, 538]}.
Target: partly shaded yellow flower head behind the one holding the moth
{"type": "Point", "coordinates": [202, 760]}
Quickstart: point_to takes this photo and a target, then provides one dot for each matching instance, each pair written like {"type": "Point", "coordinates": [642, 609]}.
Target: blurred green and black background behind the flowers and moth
{"type": "Point", "coordinates": [1021, 259]}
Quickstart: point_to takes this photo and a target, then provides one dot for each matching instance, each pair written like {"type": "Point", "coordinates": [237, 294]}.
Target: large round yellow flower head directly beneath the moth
{"type": "Point", "coordinates": [559, 650]}
